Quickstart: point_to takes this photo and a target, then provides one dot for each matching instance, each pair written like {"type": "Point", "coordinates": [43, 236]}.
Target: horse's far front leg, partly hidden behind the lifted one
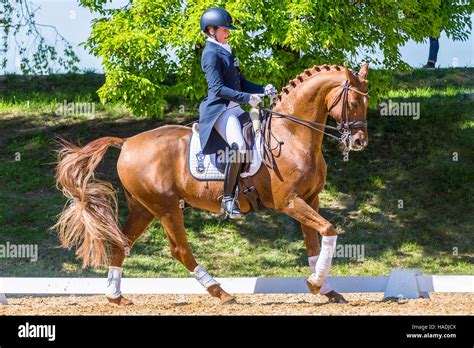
{"type": "Point", "coordinates": [313, 250]}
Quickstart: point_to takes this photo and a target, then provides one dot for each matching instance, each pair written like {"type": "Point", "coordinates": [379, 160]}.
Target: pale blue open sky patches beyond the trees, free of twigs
{"type": "Point", "coordinates": [73, 22]}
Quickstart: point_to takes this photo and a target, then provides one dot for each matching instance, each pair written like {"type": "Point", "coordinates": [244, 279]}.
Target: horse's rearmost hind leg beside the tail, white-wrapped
{"type": "Point", "coordinates": [138, 220]}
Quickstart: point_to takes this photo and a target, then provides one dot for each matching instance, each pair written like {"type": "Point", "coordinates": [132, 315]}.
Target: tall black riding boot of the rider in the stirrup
{"type": "Point", "coordinates": [232, 173]}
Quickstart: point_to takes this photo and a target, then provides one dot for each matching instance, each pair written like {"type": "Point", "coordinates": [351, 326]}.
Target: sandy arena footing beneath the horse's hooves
{"type": "Point", "coordinates": [274, 304]}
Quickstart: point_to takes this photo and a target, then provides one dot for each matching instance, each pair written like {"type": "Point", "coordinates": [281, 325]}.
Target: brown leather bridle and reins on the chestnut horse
{"type": "Point", "coordinates": [344, 126]}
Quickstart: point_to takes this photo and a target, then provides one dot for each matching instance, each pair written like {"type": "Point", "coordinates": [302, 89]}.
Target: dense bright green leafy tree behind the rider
{"type": "Point", "coordinates": [152, 48]}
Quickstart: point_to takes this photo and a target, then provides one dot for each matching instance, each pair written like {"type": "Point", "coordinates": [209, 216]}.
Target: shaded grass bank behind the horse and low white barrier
{"type": "Point", "coordinates": [406, 198]}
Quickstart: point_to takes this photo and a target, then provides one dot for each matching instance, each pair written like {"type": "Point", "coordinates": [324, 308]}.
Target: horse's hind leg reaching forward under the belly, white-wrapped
{"type": "Point", "coordinates": [173, 223]}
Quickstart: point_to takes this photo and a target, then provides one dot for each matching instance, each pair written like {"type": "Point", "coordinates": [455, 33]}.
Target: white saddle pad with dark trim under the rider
{"type": "Point", "coordinates": [202, 167]}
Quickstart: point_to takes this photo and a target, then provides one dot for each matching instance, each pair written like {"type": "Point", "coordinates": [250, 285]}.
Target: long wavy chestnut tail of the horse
{"type": "Point", "coordinates": [89, 219]}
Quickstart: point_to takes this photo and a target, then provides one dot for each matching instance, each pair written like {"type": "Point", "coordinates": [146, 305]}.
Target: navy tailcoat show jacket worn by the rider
{"type": "Point", "coordinates": [225, 84]}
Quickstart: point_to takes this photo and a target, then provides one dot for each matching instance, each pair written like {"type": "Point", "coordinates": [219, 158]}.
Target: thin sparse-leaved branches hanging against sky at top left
{"type": "Point", "coordinates": [35, 54]}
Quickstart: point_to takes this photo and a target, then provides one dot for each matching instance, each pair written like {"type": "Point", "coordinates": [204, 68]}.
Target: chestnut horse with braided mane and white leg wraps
{"type": "Point", "coordinates": [152, 169]}
